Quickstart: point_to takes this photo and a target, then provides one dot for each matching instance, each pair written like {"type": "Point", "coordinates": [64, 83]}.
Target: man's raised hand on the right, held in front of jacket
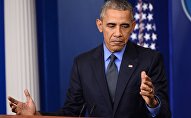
{"type": "Point", "coordinates": [147, 90]}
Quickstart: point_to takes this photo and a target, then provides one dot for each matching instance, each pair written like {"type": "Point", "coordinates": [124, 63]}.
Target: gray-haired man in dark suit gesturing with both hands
{"type": "Point", "coordinates": [115, 80]}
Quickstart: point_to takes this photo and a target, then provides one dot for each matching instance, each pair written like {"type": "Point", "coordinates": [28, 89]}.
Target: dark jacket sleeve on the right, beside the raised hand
{"type": "Point", "coordinates": [158, 76]}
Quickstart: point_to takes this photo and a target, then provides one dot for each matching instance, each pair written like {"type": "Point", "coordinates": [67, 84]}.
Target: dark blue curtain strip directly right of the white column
{"type": "Point", "coordinates": [48, 54]}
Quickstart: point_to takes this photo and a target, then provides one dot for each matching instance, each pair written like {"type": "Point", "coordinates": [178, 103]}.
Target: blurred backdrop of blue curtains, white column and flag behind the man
{"type": "Point", "coordinates": [40, 38]}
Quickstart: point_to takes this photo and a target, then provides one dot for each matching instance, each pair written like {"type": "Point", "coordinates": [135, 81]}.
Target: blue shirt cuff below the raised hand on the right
{"type": "Point", "coordinates": [154, 111]}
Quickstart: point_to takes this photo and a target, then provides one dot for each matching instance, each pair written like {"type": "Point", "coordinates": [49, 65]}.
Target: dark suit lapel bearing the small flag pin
{"type": "Point", "coordinates": [128, 65]}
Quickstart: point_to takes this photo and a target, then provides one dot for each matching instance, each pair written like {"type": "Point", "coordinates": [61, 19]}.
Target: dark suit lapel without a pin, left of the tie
{"type": "Point", "coordinates": [98, 68]}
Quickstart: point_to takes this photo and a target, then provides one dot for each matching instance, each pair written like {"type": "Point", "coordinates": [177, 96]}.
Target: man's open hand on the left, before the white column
{"type": "Point", "coordinates": [20, 108]}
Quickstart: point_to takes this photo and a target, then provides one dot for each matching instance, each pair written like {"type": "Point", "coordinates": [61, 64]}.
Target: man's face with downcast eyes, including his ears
{"type": "Point", "coordinates": [116, 27]}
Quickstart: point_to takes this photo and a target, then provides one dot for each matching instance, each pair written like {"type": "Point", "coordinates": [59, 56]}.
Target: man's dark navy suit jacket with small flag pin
{"type": "Point", "coordinates": [88, 88]}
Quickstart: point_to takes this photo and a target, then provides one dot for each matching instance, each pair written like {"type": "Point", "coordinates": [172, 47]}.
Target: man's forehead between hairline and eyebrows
{"type": "Point", "coordinates": [117, 15]}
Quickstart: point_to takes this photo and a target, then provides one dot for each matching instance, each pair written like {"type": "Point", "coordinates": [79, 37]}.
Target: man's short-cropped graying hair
{"type": "Point", "coordinates": [121, 5]}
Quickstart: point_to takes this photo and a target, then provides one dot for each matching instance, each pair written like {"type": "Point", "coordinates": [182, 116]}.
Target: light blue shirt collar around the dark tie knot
{"type": "Point", "coordinates": [107, 53]}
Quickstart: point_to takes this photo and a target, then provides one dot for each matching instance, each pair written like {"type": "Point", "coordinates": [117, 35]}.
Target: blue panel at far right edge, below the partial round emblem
{"type": "Point", "coordinates": [180, 29]}
